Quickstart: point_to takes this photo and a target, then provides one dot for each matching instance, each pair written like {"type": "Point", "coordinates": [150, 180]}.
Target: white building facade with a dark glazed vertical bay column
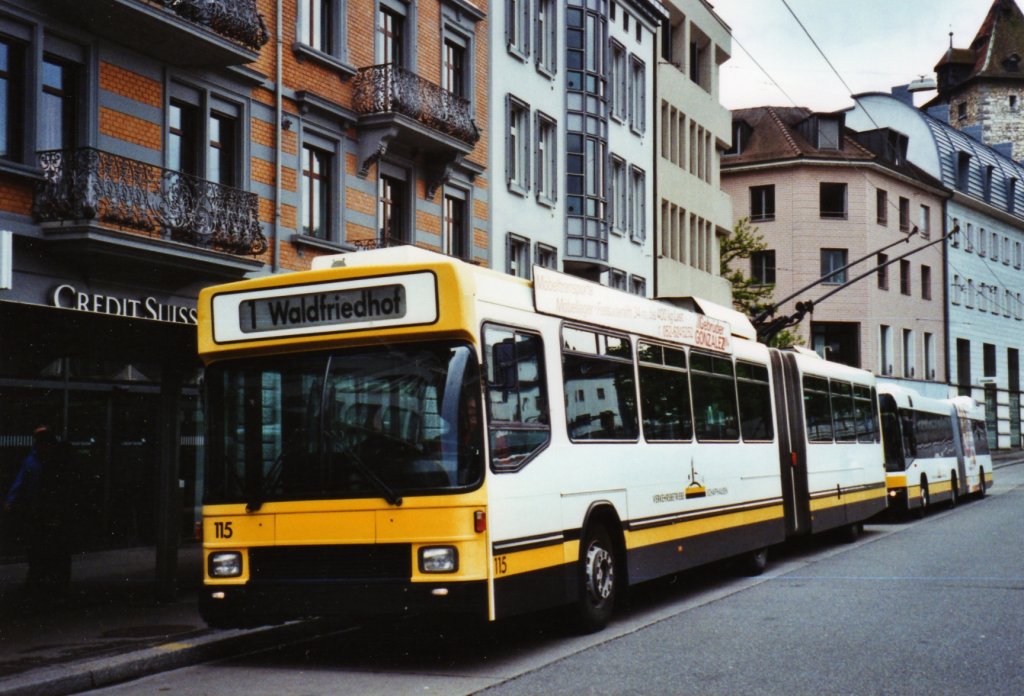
{"type": "Point", "coordinates": [572, 109]}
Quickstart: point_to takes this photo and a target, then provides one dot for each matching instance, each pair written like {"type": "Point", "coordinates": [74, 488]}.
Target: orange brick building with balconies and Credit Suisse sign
{"type": "Point", "coordinates": [151, 149]}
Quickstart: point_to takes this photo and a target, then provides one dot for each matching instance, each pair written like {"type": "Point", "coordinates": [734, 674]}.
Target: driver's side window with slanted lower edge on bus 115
{"type": "Point", "coordinates": [518, 404]}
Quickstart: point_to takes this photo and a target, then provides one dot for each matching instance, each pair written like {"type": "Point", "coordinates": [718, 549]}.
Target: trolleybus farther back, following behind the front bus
{"type": "Point", "coordinates": [936, 450]}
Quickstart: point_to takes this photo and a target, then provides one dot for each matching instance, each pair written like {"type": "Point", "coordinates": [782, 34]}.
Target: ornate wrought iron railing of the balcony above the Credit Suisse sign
{"type": "Point", "coordinates": [91, 185]}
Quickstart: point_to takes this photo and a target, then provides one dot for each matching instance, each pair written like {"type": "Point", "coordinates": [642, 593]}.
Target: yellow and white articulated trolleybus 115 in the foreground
{"type": "Point", "coordinates": [399, 431]}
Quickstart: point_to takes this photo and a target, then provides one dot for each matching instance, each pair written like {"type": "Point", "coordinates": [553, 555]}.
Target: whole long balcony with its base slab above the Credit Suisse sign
{"type": "Point", "coordinates": [121, 205]}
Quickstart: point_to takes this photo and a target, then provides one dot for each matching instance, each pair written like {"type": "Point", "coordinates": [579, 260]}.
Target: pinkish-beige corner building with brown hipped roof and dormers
{"type": "Point", "coordinates": [850, 227]}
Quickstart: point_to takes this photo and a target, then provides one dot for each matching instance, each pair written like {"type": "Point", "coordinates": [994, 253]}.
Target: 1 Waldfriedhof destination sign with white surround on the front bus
{"type": "Point", "coordinates": [337, 307]}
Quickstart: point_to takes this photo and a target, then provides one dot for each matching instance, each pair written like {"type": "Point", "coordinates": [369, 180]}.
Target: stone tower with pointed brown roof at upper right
{"type": "Point", "coordinates": [984, 85]}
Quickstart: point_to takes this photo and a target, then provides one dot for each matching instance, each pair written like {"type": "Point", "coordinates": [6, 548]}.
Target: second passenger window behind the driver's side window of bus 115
{"type": "Point", "coordinates": [665, 394]}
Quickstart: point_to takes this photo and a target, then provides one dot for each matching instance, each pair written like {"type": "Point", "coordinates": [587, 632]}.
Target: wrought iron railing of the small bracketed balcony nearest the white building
{"type": "Point", "coordinates": [389, 90]}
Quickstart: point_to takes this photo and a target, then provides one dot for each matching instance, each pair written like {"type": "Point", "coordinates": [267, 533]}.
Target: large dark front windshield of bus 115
{"type": "Point", "coordinates": [368, 423]}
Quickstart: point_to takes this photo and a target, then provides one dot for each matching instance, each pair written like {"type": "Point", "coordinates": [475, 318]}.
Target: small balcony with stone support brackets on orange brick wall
{"type": "Point", "coordinates": [398, 108]}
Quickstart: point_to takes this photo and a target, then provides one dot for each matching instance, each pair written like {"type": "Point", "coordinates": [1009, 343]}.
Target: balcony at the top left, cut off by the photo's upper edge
{"type": "Point", "coordinates": [177, 32]}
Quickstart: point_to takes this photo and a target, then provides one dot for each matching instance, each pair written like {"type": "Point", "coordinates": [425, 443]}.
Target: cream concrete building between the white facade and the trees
{"type": "Point", "coordinates": [693, 130]}
